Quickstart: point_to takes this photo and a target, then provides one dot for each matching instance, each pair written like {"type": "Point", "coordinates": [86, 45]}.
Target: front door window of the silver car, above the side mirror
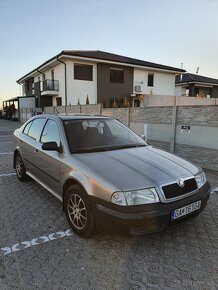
{"type": "Point", "coordinates": [51, 133]}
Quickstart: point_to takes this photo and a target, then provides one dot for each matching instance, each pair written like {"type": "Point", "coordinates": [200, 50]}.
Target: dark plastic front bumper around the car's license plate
{"type": "Point", "coordinates": [142, 219]}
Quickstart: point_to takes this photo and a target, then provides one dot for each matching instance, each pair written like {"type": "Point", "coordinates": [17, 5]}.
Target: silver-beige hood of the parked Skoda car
{"type": "Point", "coordinates": [136, 168]}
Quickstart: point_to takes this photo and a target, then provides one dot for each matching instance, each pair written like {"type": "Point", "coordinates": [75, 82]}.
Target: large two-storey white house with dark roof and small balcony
{"type": "Point", "coordinates": [73, 77]}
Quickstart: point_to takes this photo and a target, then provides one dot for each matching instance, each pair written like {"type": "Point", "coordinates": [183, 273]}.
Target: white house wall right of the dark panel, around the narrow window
{"type": "Point", "coordinates": [164, 83]}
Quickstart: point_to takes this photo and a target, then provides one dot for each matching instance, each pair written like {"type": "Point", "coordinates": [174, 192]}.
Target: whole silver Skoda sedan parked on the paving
{"type": "Point", "coordinates": [107, 177]}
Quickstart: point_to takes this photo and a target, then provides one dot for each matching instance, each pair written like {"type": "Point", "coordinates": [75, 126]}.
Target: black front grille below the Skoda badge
{"type": "Point", "coordinates": [174, 190]}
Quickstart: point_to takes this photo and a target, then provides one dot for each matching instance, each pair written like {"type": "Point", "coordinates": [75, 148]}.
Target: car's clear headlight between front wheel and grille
{"type": "Point", "coordinates": [136, 197]}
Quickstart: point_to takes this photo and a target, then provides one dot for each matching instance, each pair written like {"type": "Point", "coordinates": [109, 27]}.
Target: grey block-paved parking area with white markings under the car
{"type": "Point", "coordinates": [38, 250]}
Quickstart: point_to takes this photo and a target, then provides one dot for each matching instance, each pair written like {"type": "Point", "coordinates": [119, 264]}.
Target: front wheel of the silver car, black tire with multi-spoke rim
{"type": "Point", "coordinates": [78, 211]}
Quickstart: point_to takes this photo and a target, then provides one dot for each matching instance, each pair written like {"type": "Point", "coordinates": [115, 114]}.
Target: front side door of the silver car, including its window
{"type": "Point", "coordinates": [49, 162]}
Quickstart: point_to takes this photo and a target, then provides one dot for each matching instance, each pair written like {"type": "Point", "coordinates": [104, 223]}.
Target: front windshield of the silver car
{"type": "Point", "coordinates": [93, 135]}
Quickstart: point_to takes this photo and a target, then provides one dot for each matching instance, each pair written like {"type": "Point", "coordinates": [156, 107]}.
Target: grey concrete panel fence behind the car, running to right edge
{"type": "Point", "coordinates": [189, 131]}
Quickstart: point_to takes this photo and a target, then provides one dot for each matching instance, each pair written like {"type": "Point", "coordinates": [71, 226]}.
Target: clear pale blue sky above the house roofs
{"type": "Point", "coordinates": [169, 32]}
